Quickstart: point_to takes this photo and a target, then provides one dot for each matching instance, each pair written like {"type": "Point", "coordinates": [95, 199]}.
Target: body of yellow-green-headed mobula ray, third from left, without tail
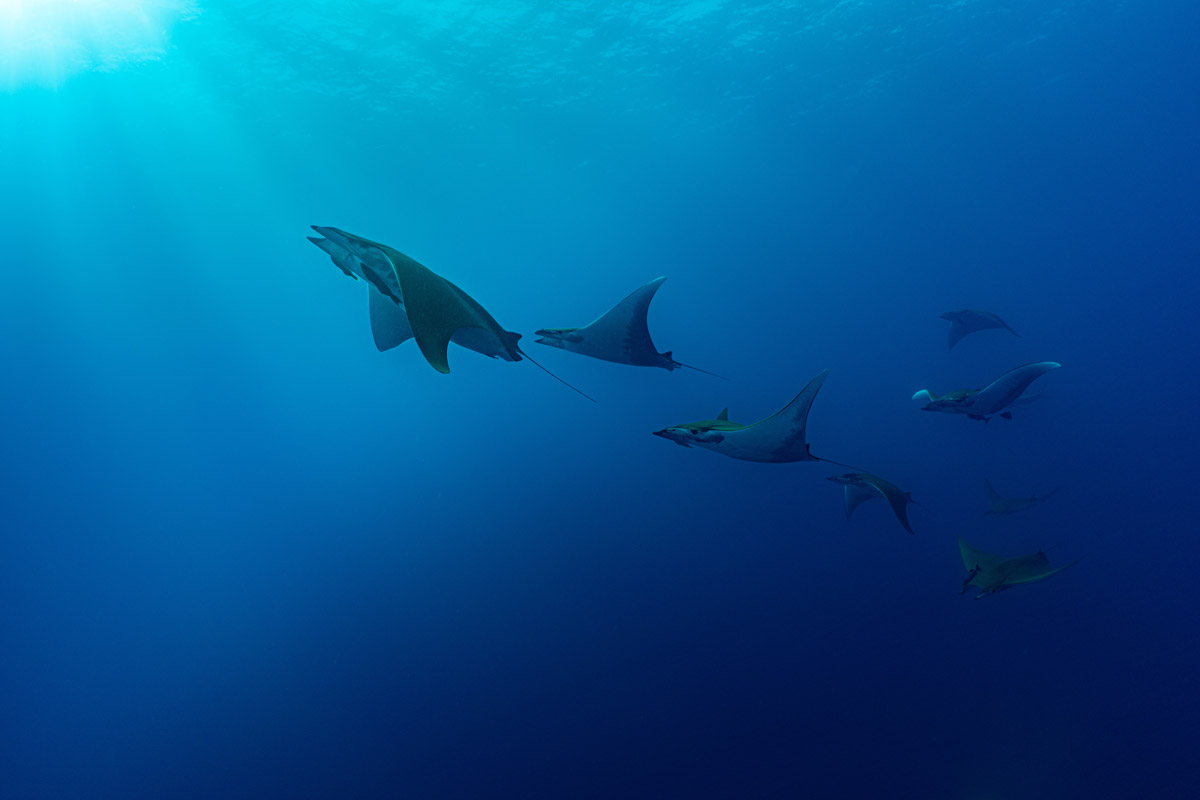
{"type": "Point", "coordinates": [781, 438]}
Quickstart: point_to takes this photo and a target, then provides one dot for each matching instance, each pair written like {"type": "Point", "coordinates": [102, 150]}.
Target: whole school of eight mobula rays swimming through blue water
{"type": "Point", "coordinates": [406, 300]}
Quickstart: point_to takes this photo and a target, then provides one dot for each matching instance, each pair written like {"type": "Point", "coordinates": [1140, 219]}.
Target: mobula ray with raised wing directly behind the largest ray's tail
{"type": "Point", "coordinates": [621, 335]}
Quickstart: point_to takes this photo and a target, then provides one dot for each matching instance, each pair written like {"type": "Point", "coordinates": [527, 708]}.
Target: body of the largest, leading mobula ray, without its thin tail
{"type": "Point", "coordinates": [416, 303]}
